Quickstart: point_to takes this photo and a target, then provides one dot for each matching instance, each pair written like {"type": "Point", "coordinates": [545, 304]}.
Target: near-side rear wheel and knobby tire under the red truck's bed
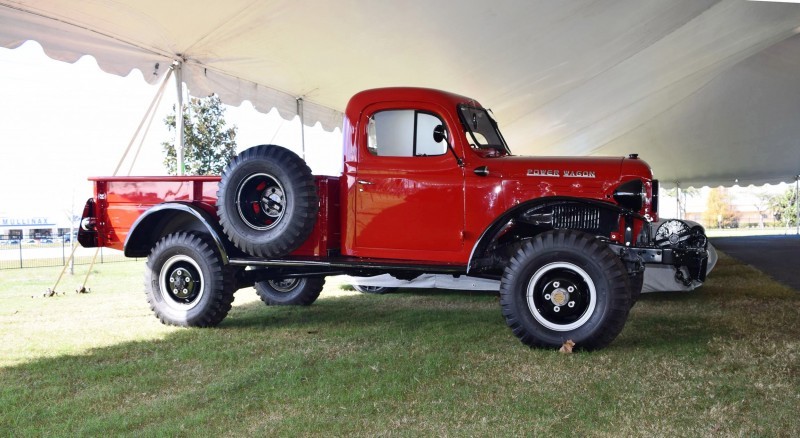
{"type": "Point", "coordinates": [185, 281]}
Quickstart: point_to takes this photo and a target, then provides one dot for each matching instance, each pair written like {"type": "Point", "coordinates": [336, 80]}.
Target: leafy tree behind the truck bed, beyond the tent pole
{"type": "Point", "coordinates": [209, 144]}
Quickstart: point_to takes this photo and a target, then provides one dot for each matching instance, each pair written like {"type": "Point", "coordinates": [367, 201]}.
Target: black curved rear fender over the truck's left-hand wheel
{"type": "Point", "coordinates": [168, 218]}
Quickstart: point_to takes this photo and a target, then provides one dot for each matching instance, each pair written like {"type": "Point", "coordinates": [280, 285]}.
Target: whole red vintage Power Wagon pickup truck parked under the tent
{"type": "Point", "coordinates": [429, 185]}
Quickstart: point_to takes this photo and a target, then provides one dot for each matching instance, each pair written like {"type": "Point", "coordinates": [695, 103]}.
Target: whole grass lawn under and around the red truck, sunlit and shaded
{"type": "Point", "coordinates": [721, 361]}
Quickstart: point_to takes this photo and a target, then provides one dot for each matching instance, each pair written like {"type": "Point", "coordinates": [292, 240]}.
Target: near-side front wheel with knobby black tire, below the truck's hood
{"type": "Point", "coordinates": [565, 285]}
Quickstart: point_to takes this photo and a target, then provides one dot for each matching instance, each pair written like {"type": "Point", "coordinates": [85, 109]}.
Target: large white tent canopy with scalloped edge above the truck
{"type": "Point", "coordinates": [706, 91]}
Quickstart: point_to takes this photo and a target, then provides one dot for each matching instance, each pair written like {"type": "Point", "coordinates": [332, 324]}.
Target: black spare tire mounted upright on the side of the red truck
{"type": "Point", "coordinates": [267, 201]}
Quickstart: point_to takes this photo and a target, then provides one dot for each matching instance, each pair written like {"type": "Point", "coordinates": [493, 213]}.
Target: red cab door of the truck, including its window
{"type": "Point", "coordinates": [410, 189]}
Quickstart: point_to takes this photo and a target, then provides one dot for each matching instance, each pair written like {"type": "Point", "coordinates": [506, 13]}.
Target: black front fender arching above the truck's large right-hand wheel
{"type": "Point", "coordinates": [538, 215]}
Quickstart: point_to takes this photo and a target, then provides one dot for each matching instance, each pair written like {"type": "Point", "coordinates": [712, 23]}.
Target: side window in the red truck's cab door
{"type": "Point", "coordinates": [404, 133]}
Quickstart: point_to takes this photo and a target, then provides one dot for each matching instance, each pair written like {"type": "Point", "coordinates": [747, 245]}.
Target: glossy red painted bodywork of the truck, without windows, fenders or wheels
{"type": "Point", "coordinates": [411, 208]}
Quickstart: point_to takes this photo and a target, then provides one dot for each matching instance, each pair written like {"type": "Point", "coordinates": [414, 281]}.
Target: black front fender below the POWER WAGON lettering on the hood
{"type": "Point", "coordinates": [539, 213]}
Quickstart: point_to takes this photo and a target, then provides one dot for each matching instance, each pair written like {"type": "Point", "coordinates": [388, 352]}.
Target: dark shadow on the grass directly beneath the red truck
{"type": "Point", "coordinates": [656, 322]}
